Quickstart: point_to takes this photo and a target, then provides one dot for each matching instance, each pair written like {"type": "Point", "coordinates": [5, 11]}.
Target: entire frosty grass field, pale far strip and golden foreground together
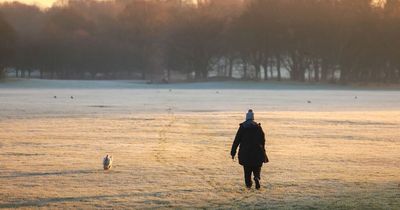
{"type": "Point", "coordinates": [171, 145]}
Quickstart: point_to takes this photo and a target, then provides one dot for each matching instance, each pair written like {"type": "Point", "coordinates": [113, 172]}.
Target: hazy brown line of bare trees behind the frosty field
{"type": "Point", "coordinates": [301, 40]}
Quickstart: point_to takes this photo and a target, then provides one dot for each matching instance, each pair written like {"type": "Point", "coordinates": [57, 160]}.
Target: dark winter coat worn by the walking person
{"type": "Point", "coordinates": [251, 139]}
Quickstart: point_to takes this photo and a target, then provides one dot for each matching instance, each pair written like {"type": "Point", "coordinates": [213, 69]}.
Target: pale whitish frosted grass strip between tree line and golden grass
{"type": "Point", "coordinates": [30, 98]}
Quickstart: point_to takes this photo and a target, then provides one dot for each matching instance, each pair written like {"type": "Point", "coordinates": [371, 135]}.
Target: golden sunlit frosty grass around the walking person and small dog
{"type": "Point", "coordinates": [336, 159]}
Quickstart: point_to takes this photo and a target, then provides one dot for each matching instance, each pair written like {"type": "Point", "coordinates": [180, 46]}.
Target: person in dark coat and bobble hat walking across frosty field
{"type": "Point", "coordinates": [251, 139]}
